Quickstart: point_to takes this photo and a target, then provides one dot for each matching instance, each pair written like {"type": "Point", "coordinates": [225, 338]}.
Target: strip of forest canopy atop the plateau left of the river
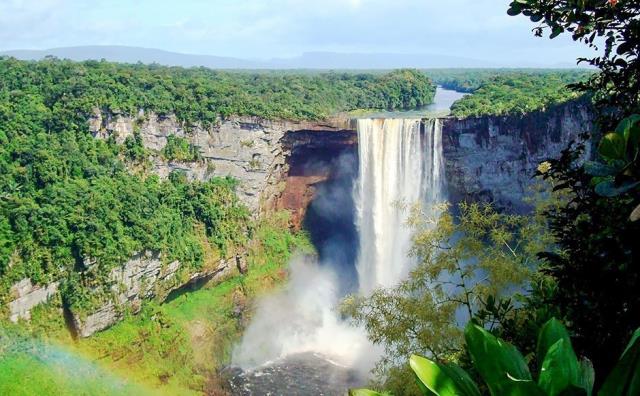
{"type": "Point", "coordinates": [204, 95]}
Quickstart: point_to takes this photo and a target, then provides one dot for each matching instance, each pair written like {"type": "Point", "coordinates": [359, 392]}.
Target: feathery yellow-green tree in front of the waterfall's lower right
{"type": "Point", "coordinates": [472, 267]}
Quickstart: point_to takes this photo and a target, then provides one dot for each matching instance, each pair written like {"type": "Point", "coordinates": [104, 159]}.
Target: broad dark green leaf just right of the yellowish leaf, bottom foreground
{"type": "Point", "coordinates": [495, 360]}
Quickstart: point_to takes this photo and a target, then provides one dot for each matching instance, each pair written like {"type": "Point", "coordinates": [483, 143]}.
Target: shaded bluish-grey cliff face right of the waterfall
{"type": "Point", "coordinates": [493, 158]}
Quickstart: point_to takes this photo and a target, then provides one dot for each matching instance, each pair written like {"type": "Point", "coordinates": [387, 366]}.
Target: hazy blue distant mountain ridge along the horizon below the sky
{"type": "Point", "coordinates": [309, 60]}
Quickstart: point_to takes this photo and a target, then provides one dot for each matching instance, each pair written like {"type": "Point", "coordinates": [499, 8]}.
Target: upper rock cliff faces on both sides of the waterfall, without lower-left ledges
{"type": "Point", "coordinates": [277, 163]}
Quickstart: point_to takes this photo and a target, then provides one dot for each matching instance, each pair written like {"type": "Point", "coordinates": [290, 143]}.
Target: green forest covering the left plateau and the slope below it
{"type": "Point", "coordinates": [68, 203]}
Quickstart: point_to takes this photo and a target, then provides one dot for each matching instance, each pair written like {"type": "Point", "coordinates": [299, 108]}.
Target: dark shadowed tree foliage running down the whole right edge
{"type": "Point", "coordinates": [597, 272]}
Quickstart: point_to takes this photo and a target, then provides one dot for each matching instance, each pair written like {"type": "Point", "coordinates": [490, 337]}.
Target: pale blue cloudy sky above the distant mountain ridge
{"type": "Point", "coordinates": [264, 29]}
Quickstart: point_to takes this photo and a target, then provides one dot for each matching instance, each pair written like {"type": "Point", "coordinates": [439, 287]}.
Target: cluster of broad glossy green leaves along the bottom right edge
{"type": "Point", "coordinates": [505, 371]}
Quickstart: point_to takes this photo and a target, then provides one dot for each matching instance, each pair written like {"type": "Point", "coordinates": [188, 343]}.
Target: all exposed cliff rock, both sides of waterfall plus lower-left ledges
{"type": "Point", "coordinates": [278, 165]}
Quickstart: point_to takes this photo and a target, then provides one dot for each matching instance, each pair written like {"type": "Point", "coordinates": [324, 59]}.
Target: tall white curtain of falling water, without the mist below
{"type": "Point", "coordinates": [401, 164]}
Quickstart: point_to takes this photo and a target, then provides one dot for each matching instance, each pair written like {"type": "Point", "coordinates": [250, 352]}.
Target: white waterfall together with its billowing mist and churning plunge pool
{"type": "Point", "coordinates": [297, 337]}
